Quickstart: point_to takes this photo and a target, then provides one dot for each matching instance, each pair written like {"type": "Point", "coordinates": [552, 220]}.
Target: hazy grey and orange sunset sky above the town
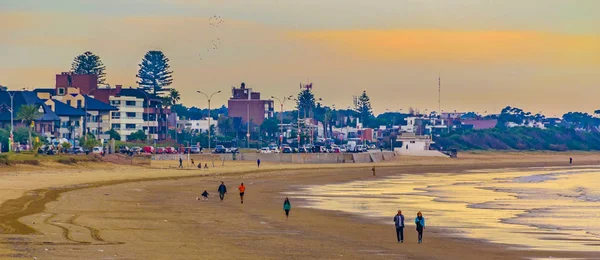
{"type": "Point", "coordinates": [537, 55]}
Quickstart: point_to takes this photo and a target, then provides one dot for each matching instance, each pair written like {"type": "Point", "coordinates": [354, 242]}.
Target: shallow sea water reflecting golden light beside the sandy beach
{"type": "Point", "coordinates": [536, 209]}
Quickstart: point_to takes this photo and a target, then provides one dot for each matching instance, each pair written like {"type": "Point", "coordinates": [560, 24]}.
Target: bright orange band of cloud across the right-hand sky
{"type": "Point", "coordinates": [460, 46]}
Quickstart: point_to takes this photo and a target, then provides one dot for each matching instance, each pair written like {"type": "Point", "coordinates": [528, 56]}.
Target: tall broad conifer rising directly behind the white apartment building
{"type": "Point", "coordinates": [154, 74]}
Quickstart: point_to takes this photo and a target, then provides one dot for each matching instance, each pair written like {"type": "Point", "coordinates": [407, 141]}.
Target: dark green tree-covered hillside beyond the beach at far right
{"type": "Point", "coordinates": [521, 138]}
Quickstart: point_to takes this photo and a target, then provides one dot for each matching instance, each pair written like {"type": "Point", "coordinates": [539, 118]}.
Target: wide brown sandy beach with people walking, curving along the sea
{"type": "Point", "coordinates": [107, 211]}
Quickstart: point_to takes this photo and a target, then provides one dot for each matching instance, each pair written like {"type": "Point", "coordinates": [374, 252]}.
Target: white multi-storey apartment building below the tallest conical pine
{"type": "Point", "coordinates": [129, 118]}
